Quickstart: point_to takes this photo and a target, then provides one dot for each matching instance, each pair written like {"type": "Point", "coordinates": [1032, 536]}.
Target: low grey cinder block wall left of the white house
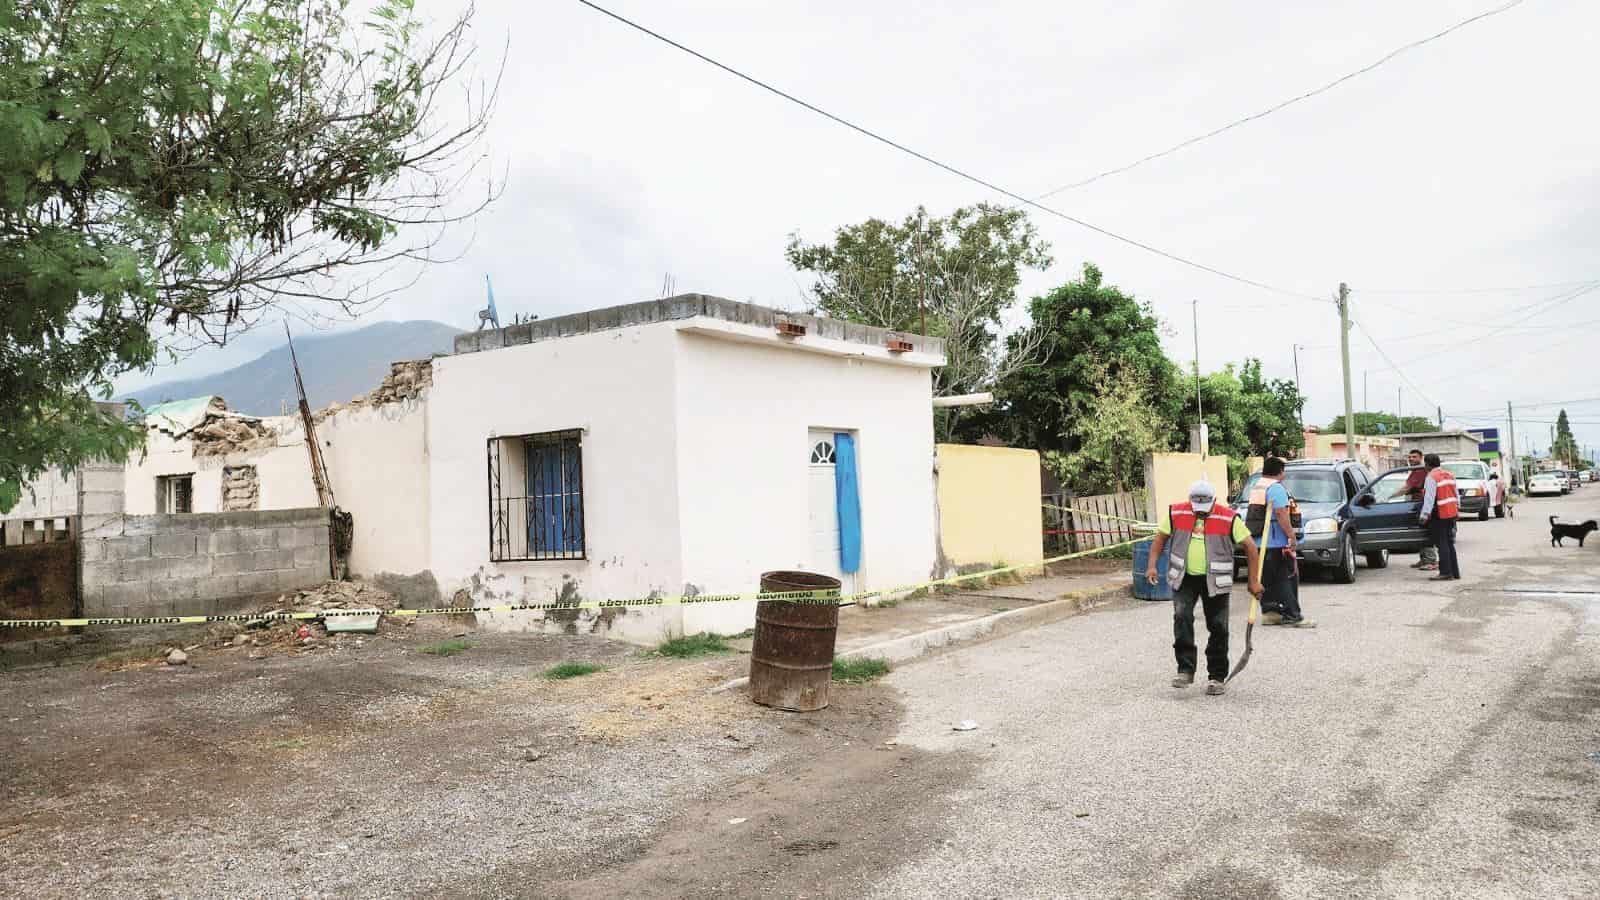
{"type": "Point", "coordinates": [202, 565]}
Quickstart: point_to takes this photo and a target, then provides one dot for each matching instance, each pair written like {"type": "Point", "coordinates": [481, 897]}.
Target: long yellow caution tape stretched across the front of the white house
{"type": "Point", "coordinates": [831, 598]}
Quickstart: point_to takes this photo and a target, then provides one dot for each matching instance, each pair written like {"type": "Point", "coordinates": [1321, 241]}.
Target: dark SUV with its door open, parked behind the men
{"type": "Point", "coordinates": [1329, 539]}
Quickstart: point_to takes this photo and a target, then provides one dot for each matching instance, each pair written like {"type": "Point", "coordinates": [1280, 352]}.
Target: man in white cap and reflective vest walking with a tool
{"type": "Point", "coordinates": [1201, 569]}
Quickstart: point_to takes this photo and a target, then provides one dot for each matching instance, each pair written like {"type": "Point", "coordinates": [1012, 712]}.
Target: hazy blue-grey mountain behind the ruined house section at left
{"type": "Point", "coordinates": [335, 368]}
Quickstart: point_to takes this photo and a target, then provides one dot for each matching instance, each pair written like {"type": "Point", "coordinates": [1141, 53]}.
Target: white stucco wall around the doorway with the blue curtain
{"type": "Point", "coordinates": [746, 403]}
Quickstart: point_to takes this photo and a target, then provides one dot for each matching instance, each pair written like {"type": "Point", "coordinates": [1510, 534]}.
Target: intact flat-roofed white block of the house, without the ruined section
{"type": "Point", "coordinates": [678, 446]}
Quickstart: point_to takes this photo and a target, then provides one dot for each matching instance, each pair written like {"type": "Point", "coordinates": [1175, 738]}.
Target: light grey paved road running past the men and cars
{"type": "Point", "coordinates": [1428, 741]}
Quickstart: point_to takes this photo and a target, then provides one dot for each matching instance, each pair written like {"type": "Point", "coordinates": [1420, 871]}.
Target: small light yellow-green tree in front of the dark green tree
{"type": "Point", "coordinates": [1121, 428]}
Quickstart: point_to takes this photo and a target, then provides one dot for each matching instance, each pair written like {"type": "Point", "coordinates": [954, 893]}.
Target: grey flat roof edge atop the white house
{"type": "Point", "coordinates": [687, 307]}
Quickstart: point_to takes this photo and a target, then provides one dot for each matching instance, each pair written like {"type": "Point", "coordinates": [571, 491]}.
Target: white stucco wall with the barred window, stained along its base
{"type": "Point", "coordinates": [618, 387]}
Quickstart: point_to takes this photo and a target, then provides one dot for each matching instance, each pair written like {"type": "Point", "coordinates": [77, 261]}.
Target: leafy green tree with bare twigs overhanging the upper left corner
{"type": "Point", "coordinates": [177, 169]}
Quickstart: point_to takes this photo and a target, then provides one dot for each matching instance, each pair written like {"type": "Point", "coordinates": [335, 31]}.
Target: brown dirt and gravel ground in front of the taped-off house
{"type": "Point", "coordinates": [370, 769]}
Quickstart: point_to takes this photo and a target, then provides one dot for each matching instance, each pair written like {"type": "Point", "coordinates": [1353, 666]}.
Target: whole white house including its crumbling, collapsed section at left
{"type": "Point", "coordinates": [668, 448]}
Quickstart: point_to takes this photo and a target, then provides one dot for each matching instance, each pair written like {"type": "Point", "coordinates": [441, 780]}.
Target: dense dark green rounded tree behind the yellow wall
{"type": "Point", "coordinates": [1089, 335]}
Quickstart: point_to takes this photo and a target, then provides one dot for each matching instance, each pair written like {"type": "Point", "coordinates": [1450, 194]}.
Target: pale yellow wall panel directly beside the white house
{"type": "Point", "coordinates": [990, 505]}
